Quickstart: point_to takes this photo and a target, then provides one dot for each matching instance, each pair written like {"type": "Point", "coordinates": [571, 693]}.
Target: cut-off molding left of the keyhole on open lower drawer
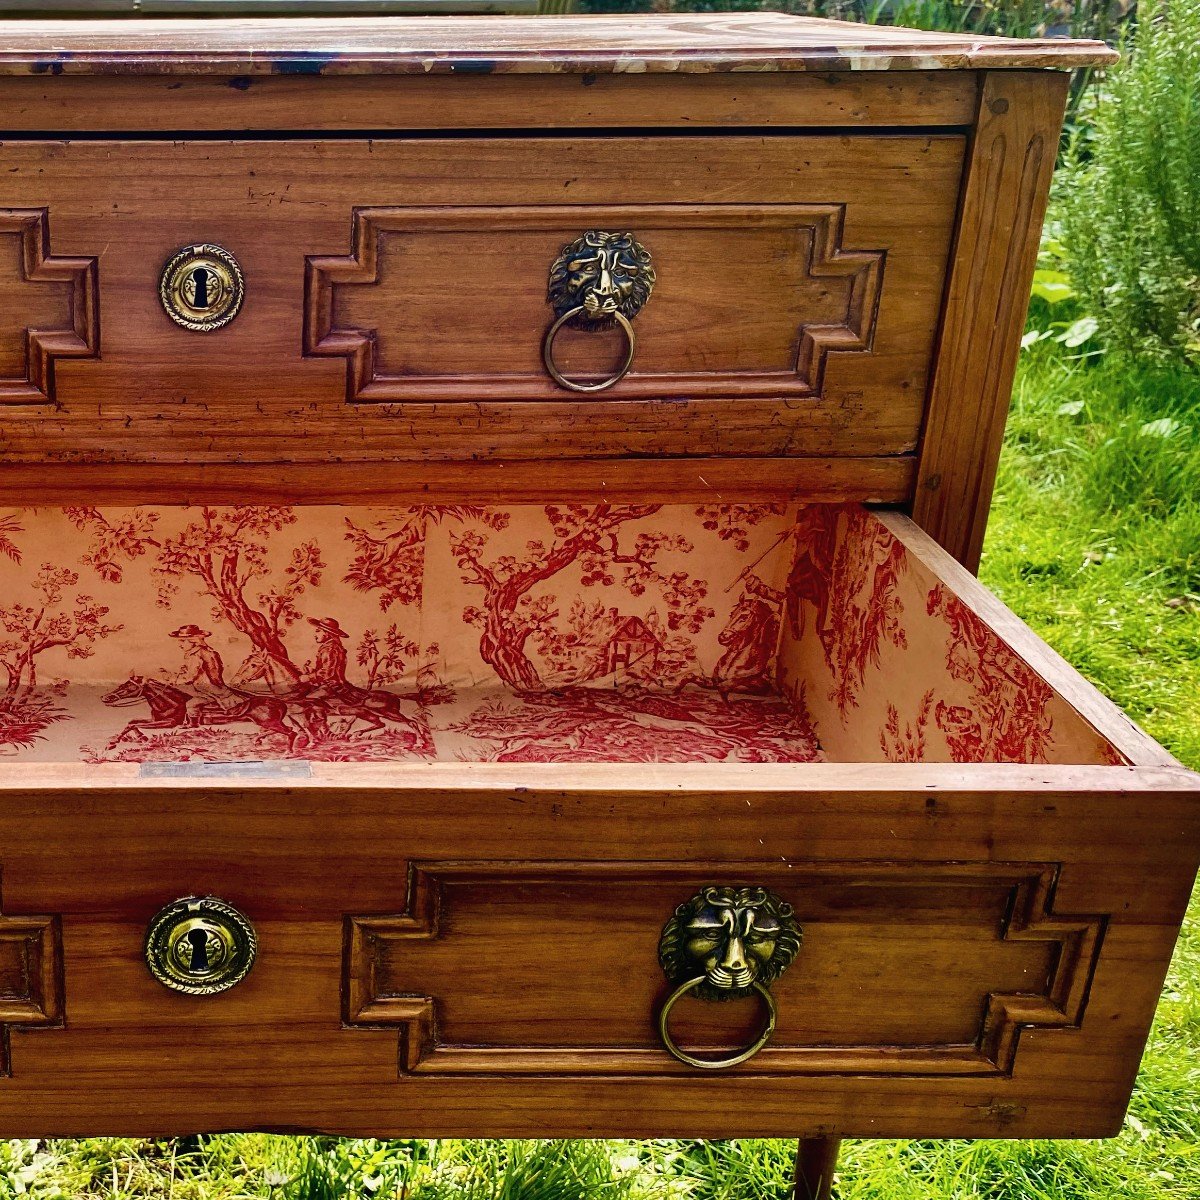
{"type": "Point", "coordinates": [31, 979]}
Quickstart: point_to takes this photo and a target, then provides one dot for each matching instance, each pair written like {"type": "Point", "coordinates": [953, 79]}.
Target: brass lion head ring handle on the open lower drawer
{"type": "Point", "coordinates": [724, 944]}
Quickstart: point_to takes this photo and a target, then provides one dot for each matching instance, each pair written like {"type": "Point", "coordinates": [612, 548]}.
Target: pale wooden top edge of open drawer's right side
{"type": "Point", "coordinates": [1097, 710]}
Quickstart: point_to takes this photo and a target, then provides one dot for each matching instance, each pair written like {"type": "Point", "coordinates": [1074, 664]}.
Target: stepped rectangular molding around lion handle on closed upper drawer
{"type": "Point", "coordinates": [859, 274]}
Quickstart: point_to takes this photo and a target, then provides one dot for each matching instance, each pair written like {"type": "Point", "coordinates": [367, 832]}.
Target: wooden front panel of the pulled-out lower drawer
{"type": "Point", "coordinates": [482, 961]}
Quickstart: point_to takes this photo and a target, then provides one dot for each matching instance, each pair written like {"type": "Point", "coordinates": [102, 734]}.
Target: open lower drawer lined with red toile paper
{"type": "Point", "coordinates": [465, 770]}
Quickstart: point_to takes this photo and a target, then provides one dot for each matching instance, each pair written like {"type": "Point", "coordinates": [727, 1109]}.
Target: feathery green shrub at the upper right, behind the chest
{"type": "Point", "coordinates": [1131, 213]}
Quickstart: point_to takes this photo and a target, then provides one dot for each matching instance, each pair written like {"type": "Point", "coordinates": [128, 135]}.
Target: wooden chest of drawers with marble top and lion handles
{"type": "Point", "coordinates": [494, 502]}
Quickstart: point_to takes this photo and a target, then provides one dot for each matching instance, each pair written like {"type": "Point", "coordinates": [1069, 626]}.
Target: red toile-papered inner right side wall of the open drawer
{"type": "Point", "coordinates": [884, 651]}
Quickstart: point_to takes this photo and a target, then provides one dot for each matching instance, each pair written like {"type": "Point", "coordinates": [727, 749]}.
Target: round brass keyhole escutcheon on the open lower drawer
{"type": "Point", "coordinates": [200, 946]}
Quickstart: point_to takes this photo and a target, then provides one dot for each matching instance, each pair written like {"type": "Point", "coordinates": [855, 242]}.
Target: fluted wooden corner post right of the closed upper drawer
{"type": "Point", "coordinates": [1004, 205]}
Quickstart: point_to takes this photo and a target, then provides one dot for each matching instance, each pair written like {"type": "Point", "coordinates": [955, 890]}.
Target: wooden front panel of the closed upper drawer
{"type": "Point", "coordinates": [395, 297]}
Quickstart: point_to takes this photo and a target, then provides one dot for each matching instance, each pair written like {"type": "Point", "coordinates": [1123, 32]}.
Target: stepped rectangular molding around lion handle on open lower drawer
{"type": "Point", "coordinates": [1027, 891]}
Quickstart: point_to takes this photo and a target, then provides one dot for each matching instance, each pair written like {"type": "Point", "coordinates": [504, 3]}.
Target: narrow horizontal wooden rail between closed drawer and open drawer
{"type": "Point", "coordinates": [883, 481]}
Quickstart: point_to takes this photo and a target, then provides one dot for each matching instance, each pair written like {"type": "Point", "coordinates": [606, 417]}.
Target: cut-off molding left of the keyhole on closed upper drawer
{"type": "Point", "coordinates": [80, 337]}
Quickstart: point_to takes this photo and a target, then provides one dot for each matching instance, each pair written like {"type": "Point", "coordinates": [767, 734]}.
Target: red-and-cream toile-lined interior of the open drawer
{"type": "Point", "coordinates": [572, 633]}
